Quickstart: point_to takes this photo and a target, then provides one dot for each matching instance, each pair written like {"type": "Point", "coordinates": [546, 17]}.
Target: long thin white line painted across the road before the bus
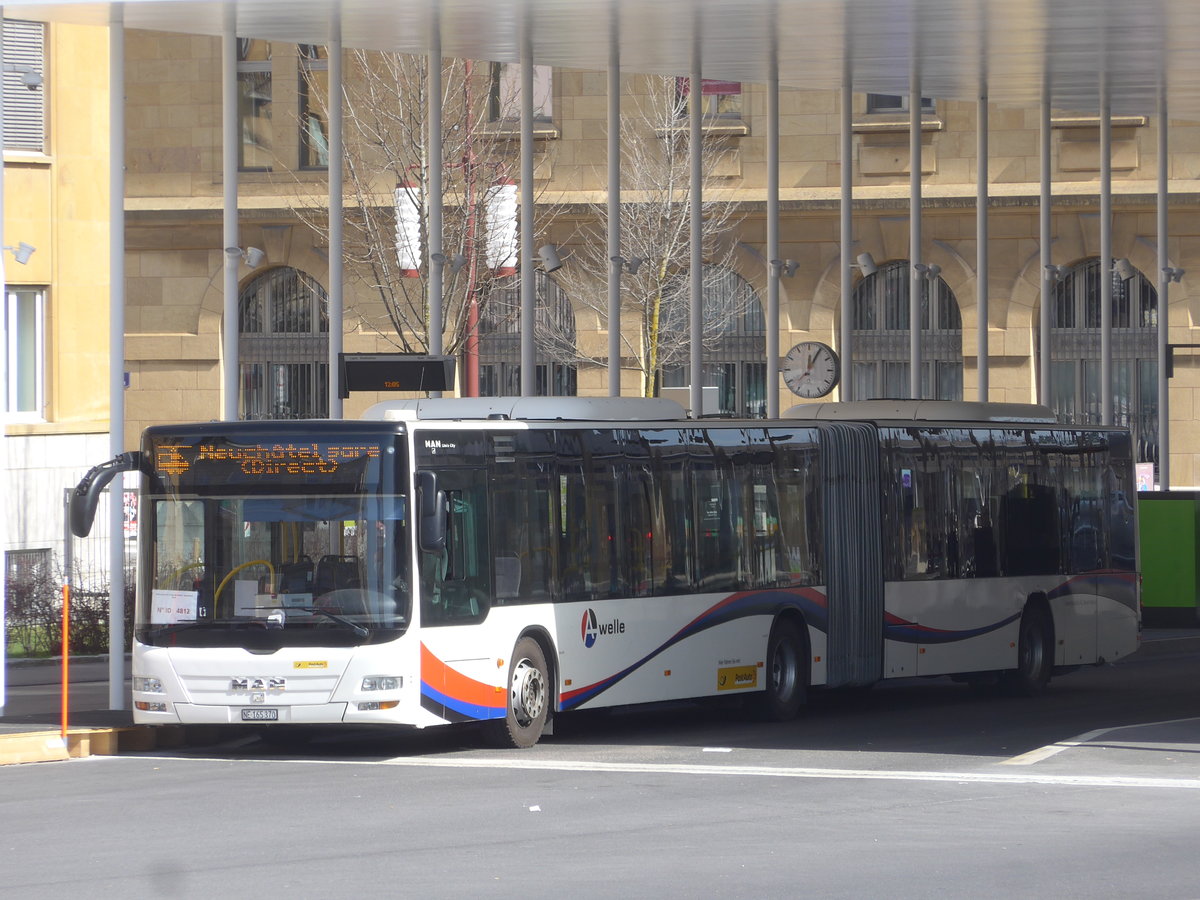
{"type": "Point", "coordinates": [629, 769]}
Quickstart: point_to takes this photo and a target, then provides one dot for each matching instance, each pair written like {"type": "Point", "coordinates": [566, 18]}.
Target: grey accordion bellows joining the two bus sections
{"type": "Point", "coordinates": [850, 466]}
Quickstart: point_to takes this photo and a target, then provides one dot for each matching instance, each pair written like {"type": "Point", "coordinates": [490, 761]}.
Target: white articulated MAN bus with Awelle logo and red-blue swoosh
{"type": "Point", "coordinates": [505, 561]}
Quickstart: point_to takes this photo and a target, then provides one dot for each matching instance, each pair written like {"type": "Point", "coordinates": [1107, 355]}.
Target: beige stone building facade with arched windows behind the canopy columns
{"type": "Point", "coordinates": [175, 239]}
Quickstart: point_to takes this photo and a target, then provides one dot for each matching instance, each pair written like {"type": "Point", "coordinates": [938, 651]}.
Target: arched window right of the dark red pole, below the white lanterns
{"type": "Point", "coordinates": [500, 343]}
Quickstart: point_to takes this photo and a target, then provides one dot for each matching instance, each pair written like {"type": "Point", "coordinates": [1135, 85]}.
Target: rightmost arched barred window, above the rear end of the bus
{"type": "Point", "coordinates": [1076, 353]}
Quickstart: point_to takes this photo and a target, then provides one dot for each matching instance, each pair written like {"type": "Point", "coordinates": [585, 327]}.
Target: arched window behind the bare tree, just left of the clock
{"type": "Point", "coordinates": [735, 337]}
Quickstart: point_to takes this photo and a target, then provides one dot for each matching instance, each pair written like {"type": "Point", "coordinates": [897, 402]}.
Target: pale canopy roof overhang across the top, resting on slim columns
{"type": "Point", "coordinates": [1011, 46]}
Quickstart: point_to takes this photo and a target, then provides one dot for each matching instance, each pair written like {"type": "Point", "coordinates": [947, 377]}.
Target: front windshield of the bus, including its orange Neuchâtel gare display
{"type": "Point", "coordinates": [241, 555]}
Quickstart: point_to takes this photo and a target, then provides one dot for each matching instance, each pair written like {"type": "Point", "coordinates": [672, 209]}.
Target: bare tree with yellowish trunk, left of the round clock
{"type": "Point", "coordinates": [656, 231]}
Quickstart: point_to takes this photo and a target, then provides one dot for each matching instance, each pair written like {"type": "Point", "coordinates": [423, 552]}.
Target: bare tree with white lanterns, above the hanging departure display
{"type": "Point", "coordinates": [388, 197]}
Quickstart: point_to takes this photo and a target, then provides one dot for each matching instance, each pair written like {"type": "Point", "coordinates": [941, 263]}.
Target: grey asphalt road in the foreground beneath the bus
{"type": "Point", "coordinates": [911, 790]}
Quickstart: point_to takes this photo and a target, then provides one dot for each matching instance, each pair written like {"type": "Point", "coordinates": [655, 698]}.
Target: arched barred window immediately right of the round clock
{"type": "Point", "coordinates": [881, 337]}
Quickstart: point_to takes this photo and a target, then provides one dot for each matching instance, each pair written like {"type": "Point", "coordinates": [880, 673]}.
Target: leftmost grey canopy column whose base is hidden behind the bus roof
{"type": "Point", "coordinates": [230, 137]}
